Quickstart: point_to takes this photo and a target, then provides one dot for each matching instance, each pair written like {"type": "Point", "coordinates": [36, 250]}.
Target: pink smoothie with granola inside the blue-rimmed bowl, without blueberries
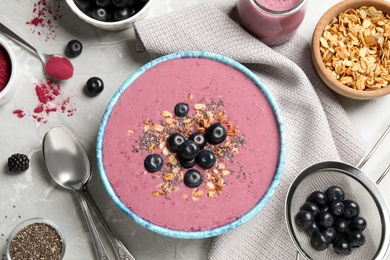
{"type": "Point", "coordinates": [244, 170]}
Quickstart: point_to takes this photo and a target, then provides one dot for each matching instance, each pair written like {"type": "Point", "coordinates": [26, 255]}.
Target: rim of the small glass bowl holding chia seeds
{"type": "Point", "coordinates": [28, 222]}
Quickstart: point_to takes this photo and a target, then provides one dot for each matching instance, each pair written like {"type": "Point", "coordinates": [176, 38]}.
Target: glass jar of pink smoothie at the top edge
{"type": "Point", "coordinates": [271, 21]}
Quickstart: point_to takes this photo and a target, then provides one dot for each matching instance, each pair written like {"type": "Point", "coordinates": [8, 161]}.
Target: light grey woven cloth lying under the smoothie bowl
{"type": "Point", "coordinates": [316, 126]}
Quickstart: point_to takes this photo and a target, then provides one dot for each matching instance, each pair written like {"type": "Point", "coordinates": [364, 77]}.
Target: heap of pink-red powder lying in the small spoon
{"type": "Point", "coordinates": [59, 68]}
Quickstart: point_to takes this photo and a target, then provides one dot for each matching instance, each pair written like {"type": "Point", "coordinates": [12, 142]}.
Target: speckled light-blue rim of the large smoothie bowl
{"type": "Point", "coordinates": [202, 233]}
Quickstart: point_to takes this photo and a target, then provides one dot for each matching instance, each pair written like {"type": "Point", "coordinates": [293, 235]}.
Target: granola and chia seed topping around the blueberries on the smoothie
{"type": "Point", "coordinates": [202, 114]}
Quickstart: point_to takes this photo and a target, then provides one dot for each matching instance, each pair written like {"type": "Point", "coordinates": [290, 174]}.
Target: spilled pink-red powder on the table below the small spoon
{"type": "Point", "coordinates": [50, 99]}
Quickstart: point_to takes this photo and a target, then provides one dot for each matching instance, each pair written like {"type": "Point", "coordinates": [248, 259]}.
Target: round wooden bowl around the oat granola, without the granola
{"type": "Point", "coordinates": [323, 72]}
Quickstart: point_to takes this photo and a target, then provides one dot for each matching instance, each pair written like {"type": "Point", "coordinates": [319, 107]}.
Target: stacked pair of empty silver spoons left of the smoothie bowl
{"type": "Point", "coordinates": [69, 165]}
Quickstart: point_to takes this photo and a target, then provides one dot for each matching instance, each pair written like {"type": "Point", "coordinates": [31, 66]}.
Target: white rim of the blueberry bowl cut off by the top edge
{"type": "Point", "coordinates": [101, 24]}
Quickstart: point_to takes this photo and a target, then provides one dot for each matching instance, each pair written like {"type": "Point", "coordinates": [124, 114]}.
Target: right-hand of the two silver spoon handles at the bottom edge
{"type": "Point", "coordinates": [120, 250]}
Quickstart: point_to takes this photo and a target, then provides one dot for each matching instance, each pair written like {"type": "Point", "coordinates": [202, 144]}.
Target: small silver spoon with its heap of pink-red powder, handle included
{"type": "Point", "coordinates": [48, 60]}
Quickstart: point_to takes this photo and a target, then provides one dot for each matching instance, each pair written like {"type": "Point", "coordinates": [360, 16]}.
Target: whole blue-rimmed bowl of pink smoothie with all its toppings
{"type": "Point", "coordinates": [191, 145]}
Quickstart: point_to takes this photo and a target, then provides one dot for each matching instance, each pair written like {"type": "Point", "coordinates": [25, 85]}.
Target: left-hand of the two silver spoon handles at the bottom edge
{"type": "Point", "coordinates": [97, 242]}
